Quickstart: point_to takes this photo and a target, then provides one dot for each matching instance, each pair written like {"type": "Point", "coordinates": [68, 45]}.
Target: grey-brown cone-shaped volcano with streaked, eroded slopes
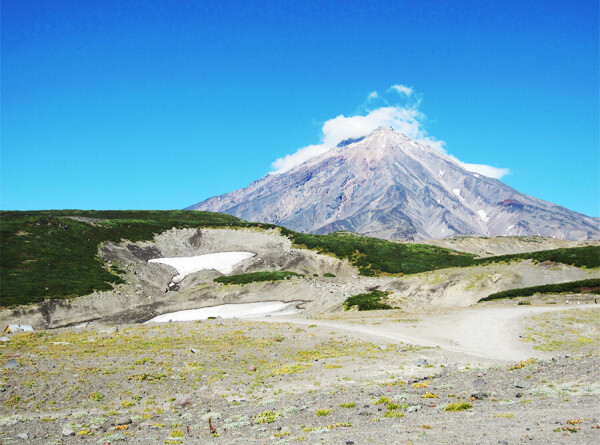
{"type": "Point", "coordinates": [388, 186]}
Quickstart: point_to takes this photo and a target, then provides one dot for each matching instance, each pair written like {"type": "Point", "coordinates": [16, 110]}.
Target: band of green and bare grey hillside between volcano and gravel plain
{"type": "Point", "coordinates": [114, 282]}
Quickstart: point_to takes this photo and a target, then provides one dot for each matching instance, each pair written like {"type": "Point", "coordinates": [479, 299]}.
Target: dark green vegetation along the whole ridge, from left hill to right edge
{"type": "Point", "coordinates": [53, 254]}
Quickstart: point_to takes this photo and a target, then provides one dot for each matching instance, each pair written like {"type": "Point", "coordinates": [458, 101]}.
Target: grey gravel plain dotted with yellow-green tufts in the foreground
{"type": "Point", "coordinates": [236, 381]}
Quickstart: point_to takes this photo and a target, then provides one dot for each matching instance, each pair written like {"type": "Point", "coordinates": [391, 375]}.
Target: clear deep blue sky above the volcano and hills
{"type": "Point", "coordinates": [161, 104]}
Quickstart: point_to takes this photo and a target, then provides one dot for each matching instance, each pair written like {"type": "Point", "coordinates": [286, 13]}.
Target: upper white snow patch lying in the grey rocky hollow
{"type": "Point", "coordinates": [222, 262]}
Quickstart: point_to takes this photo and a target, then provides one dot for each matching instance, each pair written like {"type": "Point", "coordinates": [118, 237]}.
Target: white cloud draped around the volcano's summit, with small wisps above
{"type": "Point", "coordinates": [404, 119]}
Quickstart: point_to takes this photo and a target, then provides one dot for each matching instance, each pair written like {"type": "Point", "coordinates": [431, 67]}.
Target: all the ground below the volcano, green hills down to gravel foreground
{"type": "Point", "coordinates": [269, 336]}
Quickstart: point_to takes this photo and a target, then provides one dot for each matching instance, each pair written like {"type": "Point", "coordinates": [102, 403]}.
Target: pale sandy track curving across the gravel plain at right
{"type": "Point", "coordinates": [485, 332]}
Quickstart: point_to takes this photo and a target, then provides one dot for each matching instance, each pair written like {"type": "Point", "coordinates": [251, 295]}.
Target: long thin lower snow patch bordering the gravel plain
{"type": "Point", "coordinates": [243, 310]}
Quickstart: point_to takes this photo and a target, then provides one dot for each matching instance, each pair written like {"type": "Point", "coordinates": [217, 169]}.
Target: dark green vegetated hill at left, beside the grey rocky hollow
{"type": "Point", "coordinates": [49, 254]}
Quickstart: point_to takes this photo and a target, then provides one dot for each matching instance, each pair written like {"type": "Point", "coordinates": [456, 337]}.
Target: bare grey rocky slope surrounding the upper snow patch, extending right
{"type": "Point", "coordinates": [146, 292]}
